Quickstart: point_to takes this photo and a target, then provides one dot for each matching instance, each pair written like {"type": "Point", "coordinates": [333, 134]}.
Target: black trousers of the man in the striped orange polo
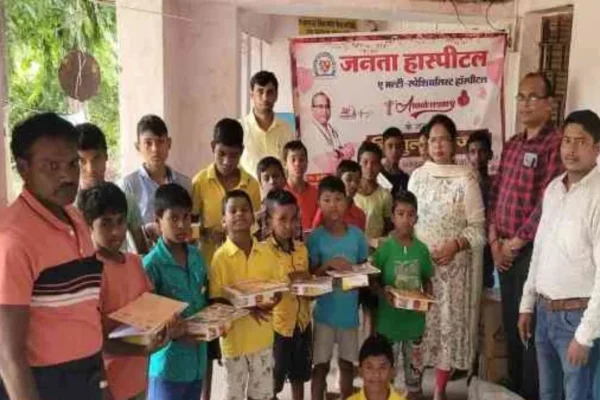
{"type": "Point", "coordinates": [73, 380]}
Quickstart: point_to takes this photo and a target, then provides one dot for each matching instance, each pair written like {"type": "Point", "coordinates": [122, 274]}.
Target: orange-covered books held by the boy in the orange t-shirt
{"type": "Point", "coordinates": [145, 318]}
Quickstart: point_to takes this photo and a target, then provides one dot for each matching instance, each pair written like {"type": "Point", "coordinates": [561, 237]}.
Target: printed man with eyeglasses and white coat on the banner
{"type": "Point", "coordinates": [324, 142]}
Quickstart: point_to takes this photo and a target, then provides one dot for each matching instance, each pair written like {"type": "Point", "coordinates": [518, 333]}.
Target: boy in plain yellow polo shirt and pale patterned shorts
{"type": "Point", "coordinates": [248, 347]}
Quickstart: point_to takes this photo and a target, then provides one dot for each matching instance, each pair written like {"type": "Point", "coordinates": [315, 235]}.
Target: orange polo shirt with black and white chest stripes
{"type": "Point", "coordinates": [50, 266]}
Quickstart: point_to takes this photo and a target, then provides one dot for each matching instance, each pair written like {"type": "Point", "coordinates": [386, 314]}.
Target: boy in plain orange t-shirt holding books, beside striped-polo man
{"type": "Point", "coordinates": [124, 279]}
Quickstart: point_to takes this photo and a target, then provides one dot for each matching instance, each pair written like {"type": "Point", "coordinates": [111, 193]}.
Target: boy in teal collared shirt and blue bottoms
{"type": "Point", "coordinates": [177, 270]}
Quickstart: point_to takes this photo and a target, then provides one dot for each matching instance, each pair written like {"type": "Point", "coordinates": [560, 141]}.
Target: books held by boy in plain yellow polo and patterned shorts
{"type": "Point", "coordinates": [254, 293]}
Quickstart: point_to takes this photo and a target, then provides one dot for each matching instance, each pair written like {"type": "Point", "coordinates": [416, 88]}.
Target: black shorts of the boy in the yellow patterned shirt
{"type": "Point", "coordinates": [293, 357]}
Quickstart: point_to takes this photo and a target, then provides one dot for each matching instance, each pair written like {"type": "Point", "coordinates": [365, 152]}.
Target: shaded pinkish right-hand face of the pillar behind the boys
{"type": "Point", "coordinates": [201, 59]}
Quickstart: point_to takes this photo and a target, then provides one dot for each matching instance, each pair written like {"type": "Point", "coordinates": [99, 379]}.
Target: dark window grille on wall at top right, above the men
{"type": "Point", "coordinates": [554, 58]}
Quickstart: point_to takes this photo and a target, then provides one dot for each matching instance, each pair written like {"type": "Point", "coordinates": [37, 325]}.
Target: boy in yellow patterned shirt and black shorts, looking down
{"type": "Point", "coordinates": [292, 316]}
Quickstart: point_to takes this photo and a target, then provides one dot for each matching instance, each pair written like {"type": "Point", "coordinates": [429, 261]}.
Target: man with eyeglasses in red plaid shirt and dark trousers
{"type": "Point", "coordinates": [530, 160]}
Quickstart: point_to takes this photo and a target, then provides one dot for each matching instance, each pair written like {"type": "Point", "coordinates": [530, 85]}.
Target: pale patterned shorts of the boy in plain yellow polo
{"type": "Point", "coordinates": [250, 376]}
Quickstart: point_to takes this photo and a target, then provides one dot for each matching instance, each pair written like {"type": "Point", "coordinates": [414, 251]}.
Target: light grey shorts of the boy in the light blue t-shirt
{"type": "Point", "coordinates": [326, 336]}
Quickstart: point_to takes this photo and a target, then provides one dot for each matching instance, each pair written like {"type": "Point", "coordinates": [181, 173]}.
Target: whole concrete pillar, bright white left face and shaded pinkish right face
{"type": "Point", "coordinates": [179, 60]}
